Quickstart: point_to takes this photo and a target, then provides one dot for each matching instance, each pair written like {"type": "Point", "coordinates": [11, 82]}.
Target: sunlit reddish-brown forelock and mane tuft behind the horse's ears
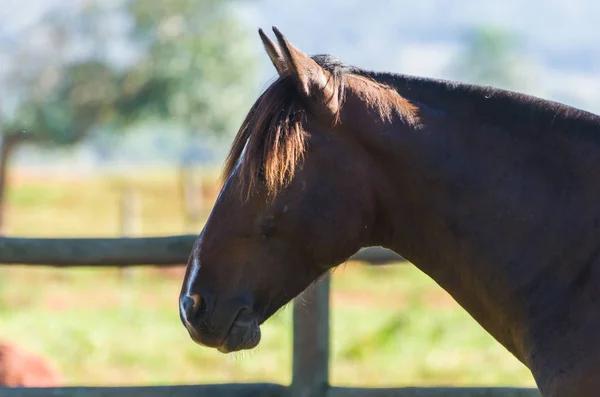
{"type": "Point", "coordinates": [272, 141]}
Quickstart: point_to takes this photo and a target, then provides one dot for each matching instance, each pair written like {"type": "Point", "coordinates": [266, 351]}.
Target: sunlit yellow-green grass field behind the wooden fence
{"type": "Point", "coordinates": [391, 325]}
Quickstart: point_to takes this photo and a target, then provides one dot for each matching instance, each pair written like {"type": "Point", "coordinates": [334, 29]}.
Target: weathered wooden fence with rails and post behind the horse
{"type": "Point", "coordinates": [310, 368]}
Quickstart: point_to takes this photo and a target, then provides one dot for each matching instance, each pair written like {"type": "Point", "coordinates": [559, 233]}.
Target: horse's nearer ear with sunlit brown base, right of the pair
{"type": "Point", "coordinates": [314, 83]}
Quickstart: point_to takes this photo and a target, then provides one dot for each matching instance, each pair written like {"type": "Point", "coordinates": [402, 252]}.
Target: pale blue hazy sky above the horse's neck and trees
{"type": "Point", "coordinates": [559, 39]}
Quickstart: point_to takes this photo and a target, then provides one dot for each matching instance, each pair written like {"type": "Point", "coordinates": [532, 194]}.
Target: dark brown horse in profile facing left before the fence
{"type": "Point", "coordinates": [494, 194]}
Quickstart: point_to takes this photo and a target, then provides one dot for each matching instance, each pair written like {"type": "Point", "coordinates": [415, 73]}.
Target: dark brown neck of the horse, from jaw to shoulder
{"type": "Point", "coordinates": [470, 196]}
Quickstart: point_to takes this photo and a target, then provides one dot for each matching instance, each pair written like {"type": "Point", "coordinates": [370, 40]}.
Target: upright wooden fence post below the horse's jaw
{"type": "Point", "coordinates": [310, 368]}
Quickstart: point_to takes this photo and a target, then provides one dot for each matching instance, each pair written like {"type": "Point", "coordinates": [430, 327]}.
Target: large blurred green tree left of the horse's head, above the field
{"type": "Point", "coordinates": [181, 61]}
